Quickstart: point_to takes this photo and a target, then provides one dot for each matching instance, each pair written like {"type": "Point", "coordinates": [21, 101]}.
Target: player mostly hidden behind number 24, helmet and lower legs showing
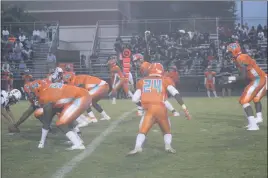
{"type": "Point", "coordinates": [144, 66]}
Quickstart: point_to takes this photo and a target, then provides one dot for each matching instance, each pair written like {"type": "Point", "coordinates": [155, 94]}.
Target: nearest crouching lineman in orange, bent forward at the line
{"type": "Point", "coordinates": [69, 101]}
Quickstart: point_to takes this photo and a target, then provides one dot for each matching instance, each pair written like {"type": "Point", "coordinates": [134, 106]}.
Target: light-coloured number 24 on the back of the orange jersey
{"type": "Point", "coordinates": [152, 84]}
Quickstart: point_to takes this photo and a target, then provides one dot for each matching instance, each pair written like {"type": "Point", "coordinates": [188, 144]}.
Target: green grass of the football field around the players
{"type": "Point", "coordinates": [213, 144]}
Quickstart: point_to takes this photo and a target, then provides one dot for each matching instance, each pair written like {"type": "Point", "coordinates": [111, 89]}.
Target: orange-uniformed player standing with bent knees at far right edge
{"type": "Point", "coordinates": [256, 88]}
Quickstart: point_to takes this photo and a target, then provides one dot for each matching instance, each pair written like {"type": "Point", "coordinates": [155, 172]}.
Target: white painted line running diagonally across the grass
{"type": "Point", "coordinates": [90, 148]}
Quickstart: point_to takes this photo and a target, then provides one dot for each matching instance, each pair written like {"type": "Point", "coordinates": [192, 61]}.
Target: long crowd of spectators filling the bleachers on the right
{"type": "Point", "coordinates": [185, 47]}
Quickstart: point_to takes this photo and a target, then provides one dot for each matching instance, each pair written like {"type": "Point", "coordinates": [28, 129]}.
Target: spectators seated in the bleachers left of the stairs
{"type": "Point", "coordinates": [17, 50]}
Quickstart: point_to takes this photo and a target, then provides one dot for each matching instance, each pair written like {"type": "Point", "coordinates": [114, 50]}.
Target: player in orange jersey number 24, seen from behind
{"type": "Point", "coordinates": [151, 93]}
